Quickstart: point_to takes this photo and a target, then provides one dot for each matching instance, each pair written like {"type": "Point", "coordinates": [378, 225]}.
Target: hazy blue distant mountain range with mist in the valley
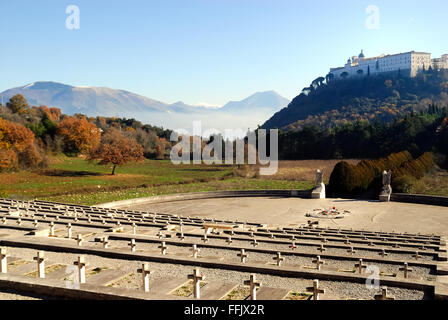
{"type": "Point", "coordinates": [102, 101]}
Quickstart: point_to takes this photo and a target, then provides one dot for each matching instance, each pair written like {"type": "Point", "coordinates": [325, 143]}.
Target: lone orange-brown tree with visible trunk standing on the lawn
{"type": "Point", "coordinates": [116, 149]}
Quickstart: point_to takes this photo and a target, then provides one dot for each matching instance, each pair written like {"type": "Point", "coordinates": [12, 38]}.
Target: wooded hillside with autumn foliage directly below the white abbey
{"type": "Point", "coordinates": [329, 103]}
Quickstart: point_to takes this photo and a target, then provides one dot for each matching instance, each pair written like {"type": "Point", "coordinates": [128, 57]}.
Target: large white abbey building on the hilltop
{"type": "Point", "coordinates": [408, 64]}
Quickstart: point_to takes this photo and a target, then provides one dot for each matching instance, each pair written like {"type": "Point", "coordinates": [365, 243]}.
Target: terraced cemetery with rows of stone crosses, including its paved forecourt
{"type": "Point", "coordinates": [81, 252]}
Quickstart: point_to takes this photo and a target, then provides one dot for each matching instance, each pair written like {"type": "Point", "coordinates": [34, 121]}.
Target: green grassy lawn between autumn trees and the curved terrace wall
{"type": "Point", "coordinates": [74, 180]}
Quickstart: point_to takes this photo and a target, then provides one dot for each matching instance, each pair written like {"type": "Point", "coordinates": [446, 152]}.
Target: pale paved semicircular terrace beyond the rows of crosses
{"type": "Point", "coordinates": [276, 212]}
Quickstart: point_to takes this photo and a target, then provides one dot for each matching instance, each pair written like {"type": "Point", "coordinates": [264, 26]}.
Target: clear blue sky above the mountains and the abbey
{"type": "Point", "coordinates": [208, 51]}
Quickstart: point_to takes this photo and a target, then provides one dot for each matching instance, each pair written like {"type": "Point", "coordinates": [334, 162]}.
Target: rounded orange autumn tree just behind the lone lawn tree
{"type": "Point", "coordinates": [80, 135]}
